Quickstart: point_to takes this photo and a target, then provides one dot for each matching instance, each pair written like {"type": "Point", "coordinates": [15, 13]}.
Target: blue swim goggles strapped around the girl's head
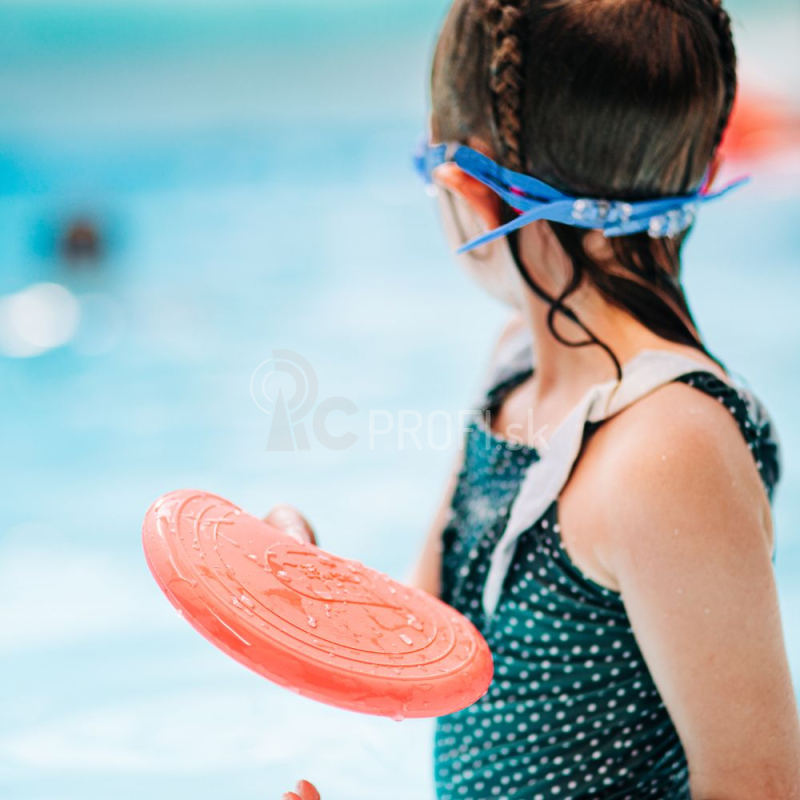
{"type": "Point", "coordinates": [534, 199]}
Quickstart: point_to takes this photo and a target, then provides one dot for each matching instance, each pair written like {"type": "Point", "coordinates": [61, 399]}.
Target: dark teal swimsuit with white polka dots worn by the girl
{"type": "Point", "coordinates": [572, 711]}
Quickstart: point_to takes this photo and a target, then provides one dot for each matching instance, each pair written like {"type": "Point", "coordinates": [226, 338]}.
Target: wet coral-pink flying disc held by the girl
{"type": "Point", "coordinates": [323, 626]}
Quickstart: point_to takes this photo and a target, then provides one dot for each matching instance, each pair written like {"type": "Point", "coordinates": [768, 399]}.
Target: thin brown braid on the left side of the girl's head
{"type": "Point", "coordinates": [504, 21]}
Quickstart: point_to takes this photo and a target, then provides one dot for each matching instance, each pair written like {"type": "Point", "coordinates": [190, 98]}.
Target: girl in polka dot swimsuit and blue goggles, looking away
{"type": "Point", "coordinates": [608, 527]}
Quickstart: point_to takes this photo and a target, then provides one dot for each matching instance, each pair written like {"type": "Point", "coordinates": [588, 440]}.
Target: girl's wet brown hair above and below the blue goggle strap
{"type": "Point", "coordinates": [620, 99]}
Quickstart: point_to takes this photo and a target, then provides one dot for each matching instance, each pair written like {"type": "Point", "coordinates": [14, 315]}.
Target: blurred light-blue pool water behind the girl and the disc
{"type": "Point", "coordinates": [254, 199]}
